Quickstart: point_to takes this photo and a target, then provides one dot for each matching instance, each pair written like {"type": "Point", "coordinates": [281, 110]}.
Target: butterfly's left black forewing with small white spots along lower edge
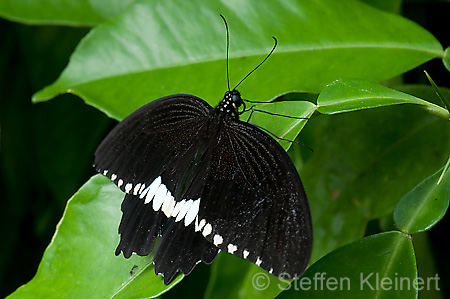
{"type": "Point", "coordinates": [146, 143]}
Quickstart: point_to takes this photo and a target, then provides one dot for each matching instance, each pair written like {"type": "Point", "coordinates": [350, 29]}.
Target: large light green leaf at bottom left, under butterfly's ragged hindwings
{"type": "Point", "coordinates": [80, 262]}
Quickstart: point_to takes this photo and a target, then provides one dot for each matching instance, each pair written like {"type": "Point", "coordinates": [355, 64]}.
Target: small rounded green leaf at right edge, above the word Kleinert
{"type": "Point", "coordinates": [425, 205]}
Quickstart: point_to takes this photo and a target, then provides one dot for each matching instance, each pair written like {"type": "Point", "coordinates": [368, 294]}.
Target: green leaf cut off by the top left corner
{"type": "Point", "coordinates": [54, 12]}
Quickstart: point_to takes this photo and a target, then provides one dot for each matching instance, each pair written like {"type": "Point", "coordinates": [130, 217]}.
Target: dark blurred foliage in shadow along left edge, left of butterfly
{"type": "Point", "coordinates": [41, 166]}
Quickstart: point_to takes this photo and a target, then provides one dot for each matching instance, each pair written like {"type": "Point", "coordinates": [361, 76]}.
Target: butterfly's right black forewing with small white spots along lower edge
{"type": "Point", "coordinates": [254, 205]}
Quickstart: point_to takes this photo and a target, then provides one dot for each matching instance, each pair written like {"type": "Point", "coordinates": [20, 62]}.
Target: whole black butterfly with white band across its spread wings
{"type": "Point", "coordinates": [204, 181]}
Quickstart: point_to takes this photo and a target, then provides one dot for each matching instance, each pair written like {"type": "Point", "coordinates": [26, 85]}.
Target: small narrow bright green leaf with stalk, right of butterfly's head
{"type": "Point", "coordinates": [345, 95]}
